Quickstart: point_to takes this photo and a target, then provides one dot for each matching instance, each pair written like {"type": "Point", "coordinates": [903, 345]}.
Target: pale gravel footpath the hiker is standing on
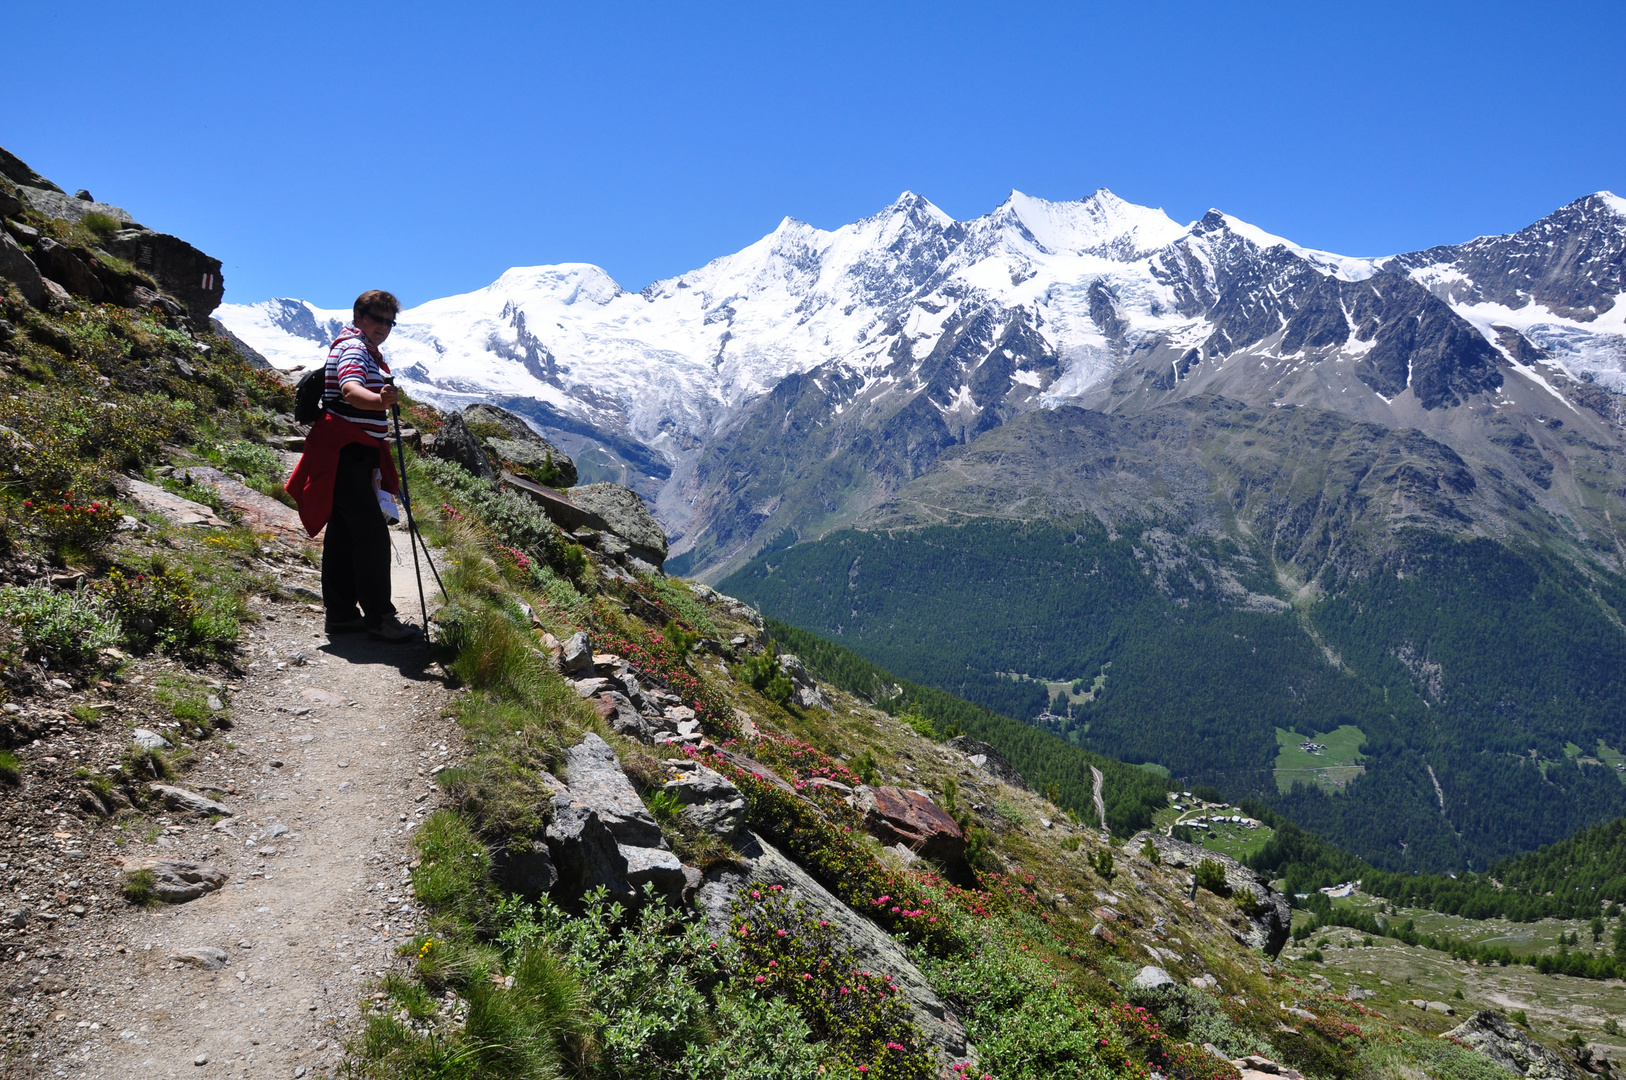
{"type": "Point", "coordinates": [328, 772]}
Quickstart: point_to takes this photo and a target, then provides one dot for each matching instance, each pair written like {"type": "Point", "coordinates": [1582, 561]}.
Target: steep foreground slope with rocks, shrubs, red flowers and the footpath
{"type": "Point", "coordinates": [643, 838]}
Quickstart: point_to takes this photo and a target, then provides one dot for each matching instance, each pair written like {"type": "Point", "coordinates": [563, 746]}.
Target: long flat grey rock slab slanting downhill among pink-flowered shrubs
{"type": "Point", "coordinates": [763, 864]}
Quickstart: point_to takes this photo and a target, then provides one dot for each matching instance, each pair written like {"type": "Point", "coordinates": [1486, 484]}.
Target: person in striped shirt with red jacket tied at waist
{"type": "Point", "coordinates": [344, 468]}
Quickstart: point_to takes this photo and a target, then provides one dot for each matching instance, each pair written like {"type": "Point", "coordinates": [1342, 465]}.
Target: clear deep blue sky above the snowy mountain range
{"type": "Point", "coordinates": [328, 149]}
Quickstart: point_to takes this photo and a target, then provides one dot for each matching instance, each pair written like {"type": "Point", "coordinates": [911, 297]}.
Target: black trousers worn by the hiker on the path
{"type": "Point", "coordinates": [357, 551]}
